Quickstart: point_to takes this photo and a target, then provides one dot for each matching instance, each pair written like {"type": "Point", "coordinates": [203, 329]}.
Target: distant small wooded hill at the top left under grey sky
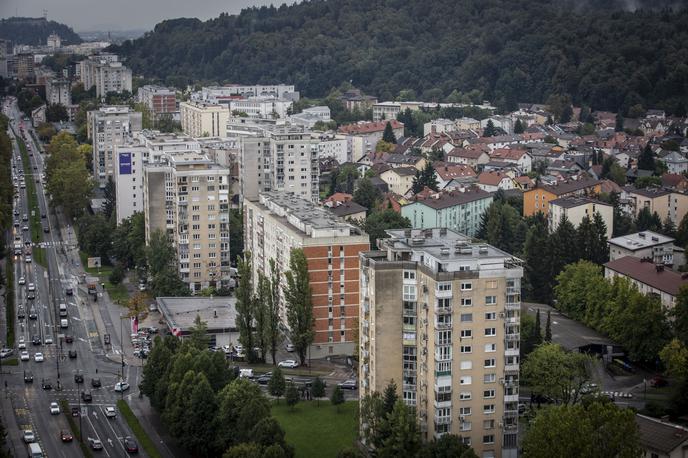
{"type": "Point", "coordinates": [35, 31]}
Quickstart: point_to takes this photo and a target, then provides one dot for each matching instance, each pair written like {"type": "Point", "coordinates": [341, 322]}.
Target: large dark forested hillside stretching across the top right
{"type": "Point", "coordinates": [510, 50]}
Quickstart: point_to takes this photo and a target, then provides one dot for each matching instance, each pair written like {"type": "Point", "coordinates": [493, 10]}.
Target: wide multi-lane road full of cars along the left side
{"type": "Point", "coordinates": [30, 403]}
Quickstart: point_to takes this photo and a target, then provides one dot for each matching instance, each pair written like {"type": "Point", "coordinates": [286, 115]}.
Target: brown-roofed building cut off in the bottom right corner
{"type": "Point", "coordinates": [661, 439]}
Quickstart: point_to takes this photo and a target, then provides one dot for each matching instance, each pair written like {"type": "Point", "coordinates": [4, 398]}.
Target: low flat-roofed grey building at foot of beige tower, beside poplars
{"type": "Point", "coordinates": [218, 313]}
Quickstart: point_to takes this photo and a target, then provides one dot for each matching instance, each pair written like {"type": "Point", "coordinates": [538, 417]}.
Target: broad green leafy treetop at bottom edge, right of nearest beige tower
{"type": "Point", "coordinates": [596, 429]}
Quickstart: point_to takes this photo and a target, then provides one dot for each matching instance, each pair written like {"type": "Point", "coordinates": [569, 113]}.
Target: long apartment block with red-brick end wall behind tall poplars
{"type": "Point", "coordinates": [275, 224]}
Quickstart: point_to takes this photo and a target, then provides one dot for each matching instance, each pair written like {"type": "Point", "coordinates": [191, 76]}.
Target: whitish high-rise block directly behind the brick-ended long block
{"type": "Point", "coordinates": [278, 158]}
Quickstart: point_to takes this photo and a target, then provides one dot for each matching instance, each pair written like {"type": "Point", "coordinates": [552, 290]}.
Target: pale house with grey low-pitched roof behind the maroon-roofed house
{"type": "Point", "coordinates": [647, 245]}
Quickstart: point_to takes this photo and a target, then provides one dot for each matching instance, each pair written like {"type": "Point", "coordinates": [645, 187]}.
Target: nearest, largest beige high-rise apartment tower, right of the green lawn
{"type": "Point", "coordinates": [440, 316]}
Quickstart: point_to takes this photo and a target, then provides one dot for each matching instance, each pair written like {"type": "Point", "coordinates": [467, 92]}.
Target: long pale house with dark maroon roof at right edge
{"type": "Point", "coordinates": [650, 278]}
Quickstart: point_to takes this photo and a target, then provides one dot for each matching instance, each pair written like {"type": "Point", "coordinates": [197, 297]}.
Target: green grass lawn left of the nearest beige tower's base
{"type": "Point", "coordinates": [318, 431]}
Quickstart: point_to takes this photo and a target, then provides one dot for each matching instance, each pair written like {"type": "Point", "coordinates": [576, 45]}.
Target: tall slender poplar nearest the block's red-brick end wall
{"type": "Point", "coordinates": [299, 305]}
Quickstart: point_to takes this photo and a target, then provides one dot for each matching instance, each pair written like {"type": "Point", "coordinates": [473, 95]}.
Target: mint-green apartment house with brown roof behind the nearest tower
{"type": "Point", "coordinates": [455, 210]}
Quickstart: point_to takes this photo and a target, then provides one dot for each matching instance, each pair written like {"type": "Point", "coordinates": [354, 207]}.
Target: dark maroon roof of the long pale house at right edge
{"type": "Point", "coordinates": [648, 273]}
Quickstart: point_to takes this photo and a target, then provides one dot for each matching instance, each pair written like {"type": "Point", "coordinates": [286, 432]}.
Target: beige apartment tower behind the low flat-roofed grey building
{"type": "Point", "coordinates": [187, 196]}
